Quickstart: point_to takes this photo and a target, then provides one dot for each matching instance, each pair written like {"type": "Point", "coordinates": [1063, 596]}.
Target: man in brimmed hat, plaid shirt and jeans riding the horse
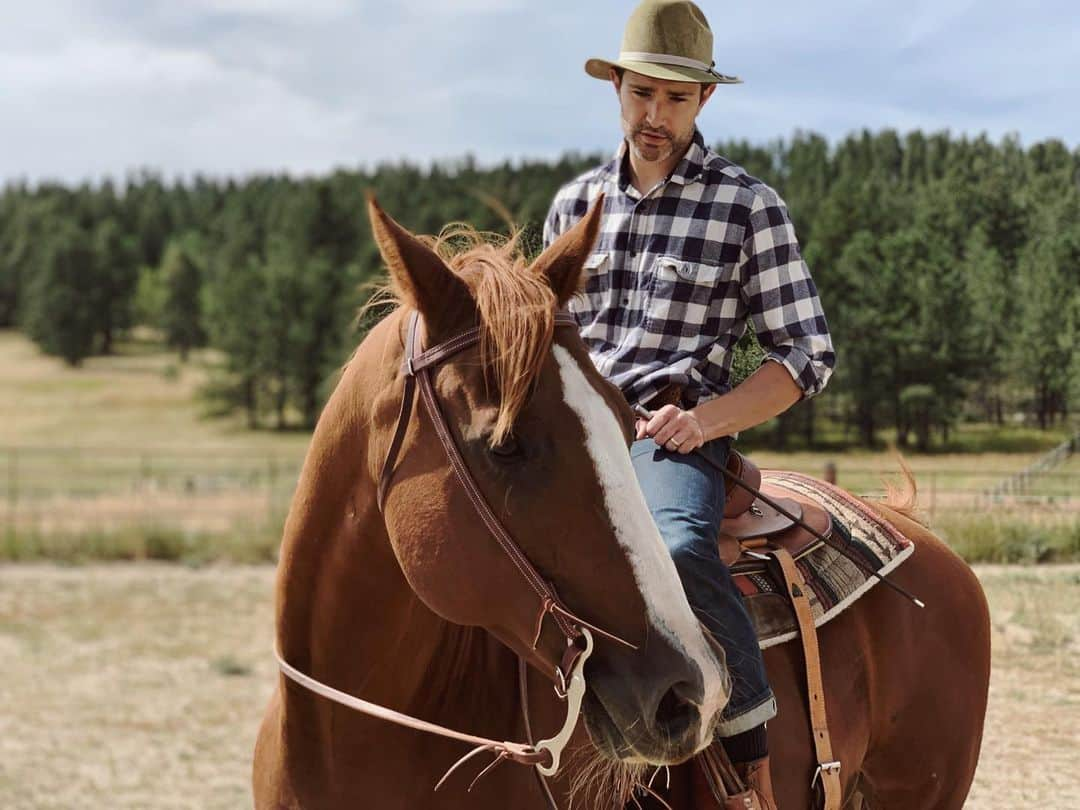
{"type": "Point", "coordinates": [691, 250]}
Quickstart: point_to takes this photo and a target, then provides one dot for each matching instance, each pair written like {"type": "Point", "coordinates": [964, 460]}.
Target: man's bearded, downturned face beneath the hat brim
{"type": "Point", "coordinates": [658, 116]}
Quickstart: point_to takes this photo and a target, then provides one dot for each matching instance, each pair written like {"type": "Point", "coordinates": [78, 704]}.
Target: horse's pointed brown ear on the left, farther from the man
{"type": "Point", "coordinates": [420, 276]}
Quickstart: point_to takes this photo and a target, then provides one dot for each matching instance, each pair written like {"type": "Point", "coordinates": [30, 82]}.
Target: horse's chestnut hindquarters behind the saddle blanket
{"type": "Point", "coordinates": [930, 677]}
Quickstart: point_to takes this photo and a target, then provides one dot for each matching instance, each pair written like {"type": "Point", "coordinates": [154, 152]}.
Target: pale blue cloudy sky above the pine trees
{"type": "Point", "coordinates": [94, 88]}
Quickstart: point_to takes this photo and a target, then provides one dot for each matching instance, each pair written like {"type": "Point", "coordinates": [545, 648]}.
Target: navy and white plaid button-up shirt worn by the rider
{"type": "Point", "coordinates": [678, 273]}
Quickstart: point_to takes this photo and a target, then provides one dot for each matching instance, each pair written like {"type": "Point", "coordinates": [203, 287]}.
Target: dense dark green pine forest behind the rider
{"type": "Point", "coordinates": [949, 268]}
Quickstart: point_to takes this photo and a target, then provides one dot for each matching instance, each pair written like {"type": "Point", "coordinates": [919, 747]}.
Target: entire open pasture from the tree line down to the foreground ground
{"type": "Point", "coordinates": [133, 686]}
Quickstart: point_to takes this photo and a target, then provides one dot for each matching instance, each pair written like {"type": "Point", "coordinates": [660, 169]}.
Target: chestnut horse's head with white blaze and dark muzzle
{"type": "Point", "coordinates": [546, 439]}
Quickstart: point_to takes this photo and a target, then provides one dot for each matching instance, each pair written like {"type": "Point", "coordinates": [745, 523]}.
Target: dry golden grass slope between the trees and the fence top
{"type": "Point", "coordinates": [143, 398]}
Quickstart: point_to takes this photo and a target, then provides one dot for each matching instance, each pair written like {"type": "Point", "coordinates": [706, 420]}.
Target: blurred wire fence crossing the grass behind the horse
{"type": "Point", "coordinates": [77, 491]}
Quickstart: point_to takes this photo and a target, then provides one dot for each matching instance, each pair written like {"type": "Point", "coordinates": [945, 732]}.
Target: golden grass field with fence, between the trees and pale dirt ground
{"type": "Point", "coordinates": [114, 462]}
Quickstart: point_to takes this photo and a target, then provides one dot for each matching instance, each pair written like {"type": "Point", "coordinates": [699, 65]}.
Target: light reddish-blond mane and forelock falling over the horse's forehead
{"type": "Point", "coordinates": [517, 310]}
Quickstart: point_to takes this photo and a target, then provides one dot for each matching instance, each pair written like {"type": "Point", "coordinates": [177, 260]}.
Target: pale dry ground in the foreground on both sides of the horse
{"type": "Point", "coordinates": [142, 686]}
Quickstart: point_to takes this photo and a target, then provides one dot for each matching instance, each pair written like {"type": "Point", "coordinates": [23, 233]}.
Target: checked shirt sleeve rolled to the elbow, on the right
{"type": "Point", "coordinates": [781, 298]}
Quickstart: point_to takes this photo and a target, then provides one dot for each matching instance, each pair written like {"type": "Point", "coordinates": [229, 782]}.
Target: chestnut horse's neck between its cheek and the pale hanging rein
{"type": "Point", "coordinates": [346, 613]}
